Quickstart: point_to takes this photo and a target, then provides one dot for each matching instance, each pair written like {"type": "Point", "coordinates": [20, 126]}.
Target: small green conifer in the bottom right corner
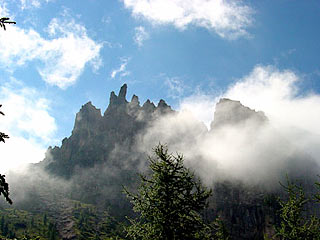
{"type": "Point", "coordinates": [294, 223]}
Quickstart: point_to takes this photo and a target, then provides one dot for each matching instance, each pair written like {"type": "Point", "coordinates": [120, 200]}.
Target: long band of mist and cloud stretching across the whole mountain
{"type": "Point", "coordinates": [251, 151]}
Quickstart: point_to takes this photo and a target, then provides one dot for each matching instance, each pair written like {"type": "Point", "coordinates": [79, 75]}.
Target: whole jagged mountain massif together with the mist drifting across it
{"type": "Point", "coordinates": [241, 153]}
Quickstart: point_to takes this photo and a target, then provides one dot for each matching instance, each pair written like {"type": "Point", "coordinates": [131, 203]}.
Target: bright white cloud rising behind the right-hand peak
{"type": "Point", "coordinates": [277, 94]}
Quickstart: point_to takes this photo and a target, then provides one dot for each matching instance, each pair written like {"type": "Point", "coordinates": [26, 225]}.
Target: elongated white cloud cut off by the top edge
{"type": "Point", "coordinates": [227, 18]}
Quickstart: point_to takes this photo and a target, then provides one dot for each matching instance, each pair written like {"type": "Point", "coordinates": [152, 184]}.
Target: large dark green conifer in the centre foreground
{"type": "Point", "coordinates": [169, 202]}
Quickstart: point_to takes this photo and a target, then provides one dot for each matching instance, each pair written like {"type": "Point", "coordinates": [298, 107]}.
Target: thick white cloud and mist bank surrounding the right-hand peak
{"type": "Point", "coordinates": [249, 151]}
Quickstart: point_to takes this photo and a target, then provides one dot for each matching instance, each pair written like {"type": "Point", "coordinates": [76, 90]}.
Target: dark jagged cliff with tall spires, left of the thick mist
{"type": "Point", "coordinates": [94, 136]}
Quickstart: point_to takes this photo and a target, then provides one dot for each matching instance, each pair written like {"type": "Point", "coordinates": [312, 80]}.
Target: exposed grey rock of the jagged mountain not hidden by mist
{"type": "Point", "coordinates": [101, 156]}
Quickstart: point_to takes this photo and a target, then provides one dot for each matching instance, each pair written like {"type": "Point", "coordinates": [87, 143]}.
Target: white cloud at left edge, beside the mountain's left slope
{"type": "Point", "coordinates": [28, 123]}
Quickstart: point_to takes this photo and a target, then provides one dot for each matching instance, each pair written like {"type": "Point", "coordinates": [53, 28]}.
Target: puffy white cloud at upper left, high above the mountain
{"type": "Point", "coordinates": [62, 57]}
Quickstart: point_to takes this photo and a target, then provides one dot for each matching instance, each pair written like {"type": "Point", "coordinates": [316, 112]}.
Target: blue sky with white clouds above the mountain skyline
{"type": "Point", "coordinates": [62, 54]}
